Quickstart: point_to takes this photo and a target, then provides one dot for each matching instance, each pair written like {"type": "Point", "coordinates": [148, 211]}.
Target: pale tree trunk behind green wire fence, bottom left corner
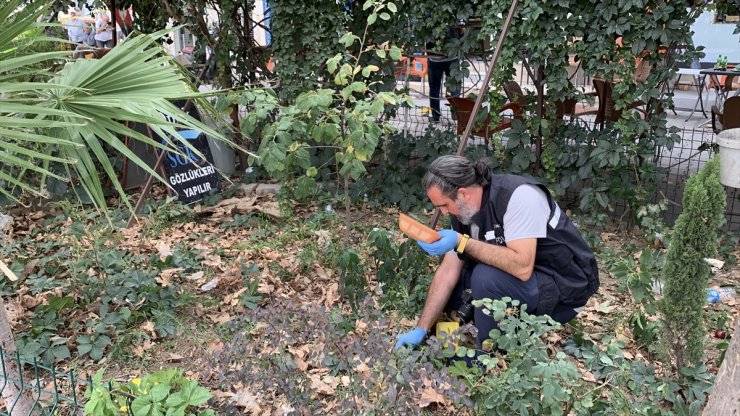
{"type": "Point", "coordinates": [11, 394]}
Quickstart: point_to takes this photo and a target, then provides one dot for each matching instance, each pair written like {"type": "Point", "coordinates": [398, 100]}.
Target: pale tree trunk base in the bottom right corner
{"type": "Point", "coordinates": [725, 397]}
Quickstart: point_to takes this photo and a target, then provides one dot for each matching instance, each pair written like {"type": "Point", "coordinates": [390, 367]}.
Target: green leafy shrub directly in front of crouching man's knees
{"type": "Point", "coordinates": [526, 380]}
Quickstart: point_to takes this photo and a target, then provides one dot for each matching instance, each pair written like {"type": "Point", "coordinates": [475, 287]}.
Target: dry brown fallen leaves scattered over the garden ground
{"type": "Point", "coordinates": [218, 286]}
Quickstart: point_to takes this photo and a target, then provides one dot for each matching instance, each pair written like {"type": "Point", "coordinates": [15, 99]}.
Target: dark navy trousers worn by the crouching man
{"type": "Point", "coordinates": [489, 282]}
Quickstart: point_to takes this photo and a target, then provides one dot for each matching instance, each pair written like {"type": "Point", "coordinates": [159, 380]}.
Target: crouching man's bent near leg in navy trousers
{"type": "Point", "coordinates": [490, 282]}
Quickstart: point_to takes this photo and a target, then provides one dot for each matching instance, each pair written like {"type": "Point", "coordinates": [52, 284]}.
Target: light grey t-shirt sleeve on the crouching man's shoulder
{"type": "Point", "coordinates": [526, 214]}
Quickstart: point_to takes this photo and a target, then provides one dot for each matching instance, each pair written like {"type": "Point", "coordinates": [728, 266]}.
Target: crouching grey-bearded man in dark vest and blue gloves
{"type": "Point", "coordinates": [508, 238]}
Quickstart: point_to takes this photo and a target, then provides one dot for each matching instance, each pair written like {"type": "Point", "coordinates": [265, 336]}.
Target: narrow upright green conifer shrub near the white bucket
{"type": "Point", "coordinates": [686, 273]}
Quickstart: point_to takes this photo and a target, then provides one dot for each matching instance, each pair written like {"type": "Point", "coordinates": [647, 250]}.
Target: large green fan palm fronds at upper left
{"type": "Point", "coordinates": [82, 112]}
